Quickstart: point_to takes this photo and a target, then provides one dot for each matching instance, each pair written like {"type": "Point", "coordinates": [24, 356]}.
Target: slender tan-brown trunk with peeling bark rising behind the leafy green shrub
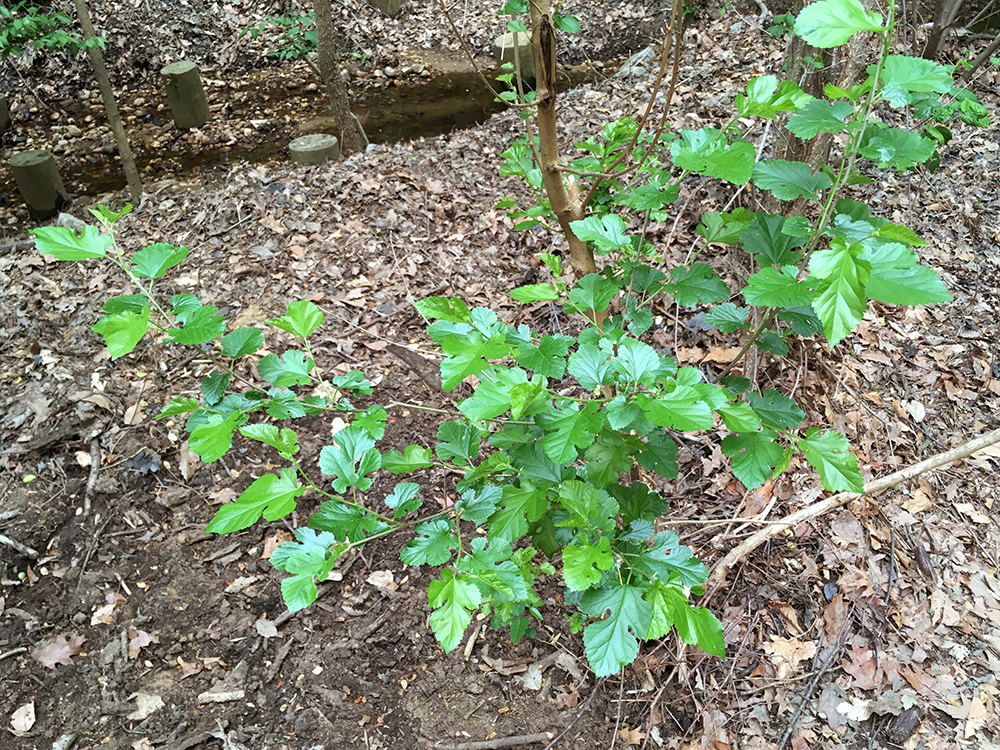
{"type": "Point", "coordinates": [566, 203]}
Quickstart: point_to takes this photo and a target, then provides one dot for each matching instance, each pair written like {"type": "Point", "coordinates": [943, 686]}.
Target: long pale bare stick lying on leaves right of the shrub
{"type": "Point", "coordinates": [722, 568]}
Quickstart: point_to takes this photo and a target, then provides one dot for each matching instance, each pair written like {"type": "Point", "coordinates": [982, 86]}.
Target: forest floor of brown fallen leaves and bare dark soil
{"type": "Point", "coordinates": [129, 627]}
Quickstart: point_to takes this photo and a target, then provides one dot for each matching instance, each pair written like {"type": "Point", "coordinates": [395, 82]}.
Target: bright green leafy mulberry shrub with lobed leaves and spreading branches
{"type": "Point", "coordinates": [560, 426]}
